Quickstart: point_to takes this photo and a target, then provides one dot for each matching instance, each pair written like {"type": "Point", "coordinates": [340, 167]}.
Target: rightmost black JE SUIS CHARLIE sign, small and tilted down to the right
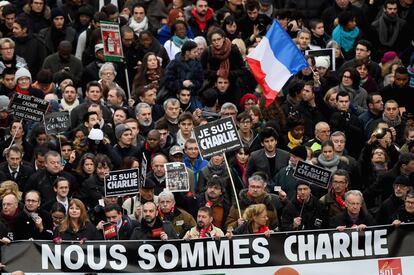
{"type": "Point", "coordinates": [312, 174]}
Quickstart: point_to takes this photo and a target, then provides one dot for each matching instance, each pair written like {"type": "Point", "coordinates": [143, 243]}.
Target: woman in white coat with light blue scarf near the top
{"type": "Point", "coordinates": [173, 46]}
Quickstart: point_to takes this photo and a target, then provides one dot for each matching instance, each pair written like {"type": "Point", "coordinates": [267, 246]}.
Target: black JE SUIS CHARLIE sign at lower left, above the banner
{"type": "Point", "coordinates": [121, 182]}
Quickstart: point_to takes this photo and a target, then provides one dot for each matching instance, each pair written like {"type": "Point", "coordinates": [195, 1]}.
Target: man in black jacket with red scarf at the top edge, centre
{"type": "Point", "coordinates": [202, 18]}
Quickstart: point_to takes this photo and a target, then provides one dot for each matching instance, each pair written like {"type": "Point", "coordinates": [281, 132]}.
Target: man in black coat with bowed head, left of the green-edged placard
{"type": "Point", "coordinates": [64, 62]}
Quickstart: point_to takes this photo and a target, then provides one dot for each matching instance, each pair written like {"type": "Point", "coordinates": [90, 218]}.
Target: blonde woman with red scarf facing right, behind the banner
{"type": "Point", "coordinates": [255, 221]}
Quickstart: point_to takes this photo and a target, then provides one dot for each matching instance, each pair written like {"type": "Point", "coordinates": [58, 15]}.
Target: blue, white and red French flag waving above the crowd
{"type": "Point", "coordinates": [274, 61]}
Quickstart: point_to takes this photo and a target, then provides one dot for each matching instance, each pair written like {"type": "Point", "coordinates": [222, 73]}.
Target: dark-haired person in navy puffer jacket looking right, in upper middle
{"type": "Point", "coordinates": [185, 71]}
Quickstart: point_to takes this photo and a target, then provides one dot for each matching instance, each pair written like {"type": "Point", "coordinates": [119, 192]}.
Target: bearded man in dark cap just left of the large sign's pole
{"type": "Point", "coordinates": [214, 198]}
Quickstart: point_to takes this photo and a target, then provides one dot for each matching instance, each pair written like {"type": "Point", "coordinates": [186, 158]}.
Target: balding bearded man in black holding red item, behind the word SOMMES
{"type": "Point", "coordinates": [152, 227]}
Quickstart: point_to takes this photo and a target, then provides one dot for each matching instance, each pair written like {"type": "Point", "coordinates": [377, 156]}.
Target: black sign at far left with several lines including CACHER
{"type": "Point", "coordinates": [28, 107]}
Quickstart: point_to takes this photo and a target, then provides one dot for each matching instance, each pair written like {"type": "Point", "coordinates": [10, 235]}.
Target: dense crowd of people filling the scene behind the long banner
{"type": "Point", "coordinates": [185, 65]}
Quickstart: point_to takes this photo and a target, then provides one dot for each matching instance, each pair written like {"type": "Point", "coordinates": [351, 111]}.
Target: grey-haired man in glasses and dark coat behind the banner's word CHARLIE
{"type": "Point", "coordinates": [355, 215]}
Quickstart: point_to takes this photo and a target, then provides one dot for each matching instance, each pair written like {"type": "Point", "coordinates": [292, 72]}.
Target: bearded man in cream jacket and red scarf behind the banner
{"type": "Point", "coordinates": [205, 227]}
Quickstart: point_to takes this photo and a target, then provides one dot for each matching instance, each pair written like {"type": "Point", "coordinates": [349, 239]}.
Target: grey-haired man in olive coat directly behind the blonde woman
{"type": "Point", "coordinates": [256, 193]}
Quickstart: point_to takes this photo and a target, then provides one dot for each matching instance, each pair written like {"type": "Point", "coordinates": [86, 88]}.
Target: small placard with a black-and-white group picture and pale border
{"type": "Point", "coordinates": [176, 177]}
